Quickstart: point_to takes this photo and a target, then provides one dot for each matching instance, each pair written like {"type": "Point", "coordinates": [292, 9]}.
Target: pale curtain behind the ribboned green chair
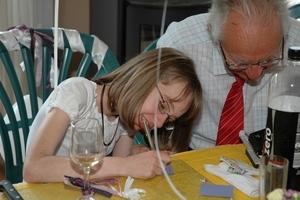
{"type": "Point", "coordinates": [32, 13]}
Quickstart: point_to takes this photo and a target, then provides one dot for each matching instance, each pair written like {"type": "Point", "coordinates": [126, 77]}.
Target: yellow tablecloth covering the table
{"type": "Point", "coordinates": [189, 173]}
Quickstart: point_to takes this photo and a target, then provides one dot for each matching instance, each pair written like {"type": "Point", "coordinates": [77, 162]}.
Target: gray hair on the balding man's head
{"type": "Point", "coordinates": [254, 11]}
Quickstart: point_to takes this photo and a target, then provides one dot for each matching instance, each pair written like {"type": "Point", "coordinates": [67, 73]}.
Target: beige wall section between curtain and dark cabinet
{"type": "Point", "coordinates": [74, 14]}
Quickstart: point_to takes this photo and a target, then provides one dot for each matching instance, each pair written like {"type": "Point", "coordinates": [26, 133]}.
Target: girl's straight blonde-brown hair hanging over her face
{"type": "Point", "coordinates": [131, 84]}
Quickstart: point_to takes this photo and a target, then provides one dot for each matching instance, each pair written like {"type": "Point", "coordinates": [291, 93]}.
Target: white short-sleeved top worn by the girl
{"type": "Point", "coordinates": [77, 98]}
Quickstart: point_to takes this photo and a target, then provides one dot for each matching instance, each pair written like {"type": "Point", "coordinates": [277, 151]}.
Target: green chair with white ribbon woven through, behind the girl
{"type": "Point", "coordinates": [17, 118]}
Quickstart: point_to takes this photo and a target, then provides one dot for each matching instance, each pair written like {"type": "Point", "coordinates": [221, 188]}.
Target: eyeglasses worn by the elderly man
{"type": "Point", "coordinates": [263, 63]}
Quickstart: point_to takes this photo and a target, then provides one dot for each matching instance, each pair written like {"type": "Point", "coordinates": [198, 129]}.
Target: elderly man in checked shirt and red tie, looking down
{"type": "Point", "coordinates": [238, 42]}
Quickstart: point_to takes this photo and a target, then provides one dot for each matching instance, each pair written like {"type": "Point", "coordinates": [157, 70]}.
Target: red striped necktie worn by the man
{"type": "Point", "coordinates": [232, 117]}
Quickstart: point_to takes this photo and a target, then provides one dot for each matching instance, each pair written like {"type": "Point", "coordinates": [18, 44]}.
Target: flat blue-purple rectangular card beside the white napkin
{"type": "Point", "coordinates": [216, 190]}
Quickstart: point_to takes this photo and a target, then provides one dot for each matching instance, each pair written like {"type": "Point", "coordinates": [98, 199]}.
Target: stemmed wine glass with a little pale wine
{"type": "Point", "coordinates": [86, 148]}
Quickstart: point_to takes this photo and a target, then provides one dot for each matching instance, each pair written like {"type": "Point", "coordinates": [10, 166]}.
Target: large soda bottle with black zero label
{"type": "Point", "coordinates": [282, 136]}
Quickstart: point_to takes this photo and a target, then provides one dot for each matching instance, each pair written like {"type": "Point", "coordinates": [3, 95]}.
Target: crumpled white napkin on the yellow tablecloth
{"type": "Point", "coordinates": [238, 174]}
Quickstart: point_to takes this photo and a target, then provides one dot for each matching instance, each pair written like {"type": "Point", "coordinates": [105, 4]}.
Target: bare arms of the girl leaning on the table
{"type": "Point", "coordinates": [41, 165]}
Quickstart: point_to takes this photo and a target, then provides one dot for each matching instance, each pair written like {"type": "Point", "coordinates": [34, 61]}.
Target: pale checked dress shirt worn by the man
{"type": "Point", "coordinates": [192, 37]}
